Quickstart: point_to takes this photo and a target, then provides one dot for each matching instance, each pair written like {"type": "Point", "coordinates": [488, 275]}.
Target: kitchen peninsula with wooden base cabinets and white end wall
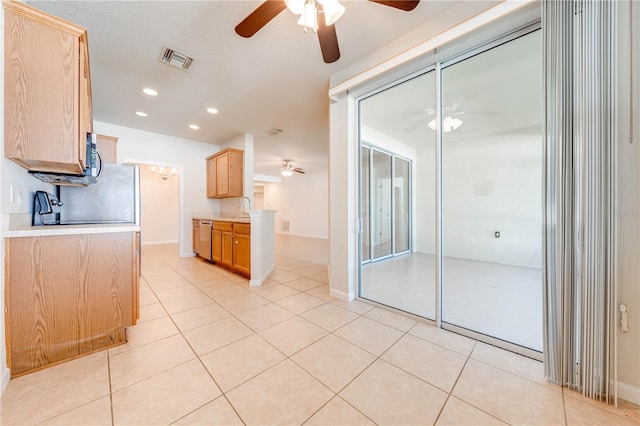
{"type": "Point", "coordinates": [240, 242]}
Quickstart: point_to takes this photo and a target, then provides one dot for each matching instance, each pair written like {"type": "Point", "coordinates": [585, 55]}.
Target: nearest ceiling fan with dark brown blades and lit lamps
{"type": "Point", "coordinates": [310, 11]}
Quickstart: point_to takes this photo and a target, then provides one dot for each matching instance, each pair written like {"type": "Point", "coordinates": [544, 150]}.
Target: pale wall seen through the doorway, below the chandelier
{"type": "Point", "coordinates": [160, 221]}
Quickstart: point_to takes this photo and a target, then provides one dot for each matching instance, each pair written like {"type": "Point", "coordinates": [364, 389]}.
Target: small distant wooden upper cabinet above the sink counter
{"type": "Point", "coordinates": [225, 174]}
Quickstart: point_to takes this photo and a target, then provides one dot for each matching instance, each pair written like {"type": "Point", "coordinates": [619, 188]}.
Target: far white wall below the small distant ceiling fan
{"type": "Point", "coordinates": [303, 200]}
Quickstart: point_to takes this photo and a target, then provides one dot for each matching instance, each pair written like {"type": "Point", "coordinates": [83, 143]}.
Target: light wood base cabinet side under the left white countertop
{"type": "Point", "coordinates": [68, 296]}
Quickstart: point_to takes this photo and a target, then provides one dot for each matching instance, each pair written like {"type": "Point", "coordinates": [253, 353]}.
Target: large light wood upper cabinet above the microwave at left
{"type": "Point", "coordinates": [47, 90]}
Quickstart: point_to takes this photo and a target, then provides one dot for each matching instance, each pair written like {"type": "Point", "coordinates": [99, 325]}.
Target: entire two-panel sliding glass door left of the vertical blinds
{"type": "Point", "coordinates": [480, 137]}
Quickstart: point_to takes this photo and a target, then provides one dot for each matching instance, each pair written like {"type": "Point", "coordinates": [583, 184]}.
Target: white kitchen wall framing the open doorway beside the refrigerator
{"type": "Point", "coordinates": [138, 146]}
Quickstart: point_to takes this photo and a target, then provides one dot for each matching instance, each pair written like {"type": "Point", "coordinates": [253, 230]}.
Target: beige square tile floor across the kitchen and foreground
{"type": "Point", "coordinates": [209, 349]}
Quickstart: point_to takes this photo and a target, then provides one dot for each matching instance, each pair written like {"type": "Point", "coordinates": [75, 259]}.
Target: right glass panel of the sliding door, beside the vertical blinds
{"type": "Point", "coordinates": [491, 193]}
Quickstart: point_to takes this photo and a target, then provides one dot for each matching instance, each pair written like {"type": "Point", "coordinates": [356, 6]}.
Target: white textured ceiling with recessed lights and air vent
{"type": "Point", "coordinates": [276, 79]}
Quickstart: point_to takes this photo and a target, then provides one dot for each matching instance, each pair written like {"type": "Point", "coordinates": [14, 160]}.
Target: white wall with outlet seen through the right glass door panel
{"type": "Point", "coordinates": [493, 184]}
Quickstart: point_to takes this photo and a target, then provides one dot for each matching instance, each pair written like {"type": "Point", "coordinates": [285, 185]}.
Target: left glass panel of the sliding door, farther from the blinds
{"type": "Point", "coordinates": [397, 196]}
